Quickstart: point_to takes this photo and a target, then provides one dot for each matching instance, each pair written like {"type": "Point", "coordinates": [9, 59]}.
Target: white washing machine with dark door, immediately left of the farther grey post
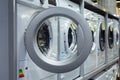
{"type": "Point", "coordinates": [100, 40]}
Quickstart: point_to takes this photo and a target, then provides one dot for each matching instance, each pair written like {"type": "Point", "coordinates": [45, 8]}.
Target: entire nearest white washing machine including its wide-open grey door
{"type": "Point", "coordinates": [46, 43]}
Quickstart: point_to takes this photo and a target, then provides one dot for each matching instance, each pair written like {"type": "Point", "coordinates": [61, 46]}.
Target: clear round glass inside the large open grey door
{"type": "Point", "coordinates": [56, 38]}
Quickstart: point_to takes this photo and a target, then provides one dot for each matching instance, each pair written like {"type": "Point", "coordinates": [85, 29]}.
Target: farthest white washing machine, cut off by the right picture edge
{"type": "Point", "coordinates": [116, 39]}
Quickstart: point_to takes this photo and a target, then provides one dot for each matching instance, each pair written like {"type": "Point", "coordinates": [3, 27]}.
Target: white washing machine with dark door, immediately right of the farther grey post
{"type": "Point", "coordinates": [110, 38]}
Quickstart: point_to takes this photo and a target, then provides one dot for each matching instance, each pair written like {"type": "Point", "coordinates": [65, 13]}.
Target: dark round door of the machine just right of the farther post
{"type": "Point", "coordinates": [110, 37]}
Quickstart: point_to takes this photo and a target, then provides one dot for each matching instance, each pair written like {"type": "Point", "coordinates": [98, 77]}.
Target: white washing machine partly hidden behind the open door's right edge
{"type": "Point", "coordinates": [90, 63]}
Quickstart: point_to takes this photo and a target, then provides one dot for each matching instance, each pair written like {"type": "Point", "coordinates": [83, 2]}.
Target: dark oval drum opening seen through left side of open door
{"type": "Point", "coordinates": [43, 38]}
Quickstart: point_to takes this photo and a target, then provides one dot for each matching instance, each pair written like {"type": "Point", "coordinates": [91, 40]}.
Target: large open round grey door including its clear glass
{"type": "Point", "coordinates": [58, 40]}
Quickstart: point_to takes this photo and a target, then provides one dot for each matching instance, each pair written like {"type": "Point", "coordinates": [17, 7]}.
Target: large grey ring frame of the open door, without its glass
{"type": "Point", "coordinates": [84, 41]}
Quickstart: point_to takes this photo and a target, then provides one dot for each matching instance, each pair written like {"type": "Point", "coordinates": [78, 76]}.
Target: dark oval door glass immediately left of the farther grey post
{"type": "Point", "coordinates": [102, 37]}
